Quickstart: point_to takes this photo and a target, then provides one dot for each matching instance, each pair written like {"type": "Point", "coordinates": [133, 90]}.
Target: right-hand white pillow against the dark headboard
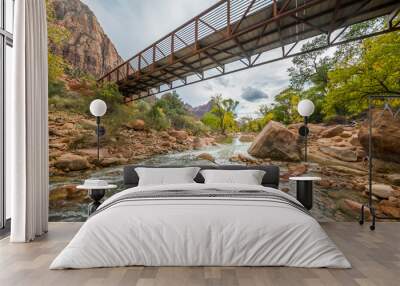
{"type": "Point", "coordinates": [247, 177]}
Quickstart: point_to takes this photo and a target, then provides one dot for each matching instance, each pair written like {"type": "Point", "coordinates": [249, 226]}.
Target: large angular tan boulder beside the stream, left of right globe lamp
{"type": "Point", "coordinates": [275, 141]}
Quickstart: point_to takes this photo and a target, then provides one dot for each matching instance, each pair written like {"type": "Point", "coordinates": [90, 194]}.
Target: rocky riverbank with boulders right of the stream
{"type": "Point", "coordinates": [340, 154]}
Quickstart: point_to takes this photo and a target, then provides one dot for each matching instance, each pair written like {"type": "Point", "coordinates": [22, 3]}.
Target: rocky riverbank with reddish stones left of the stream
{"type": "Point", "coordinates": [72, 145]}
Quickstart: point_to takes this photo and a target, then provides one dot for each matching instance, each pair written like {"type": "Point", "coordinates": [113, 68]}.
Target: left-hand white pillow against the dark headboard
{"type": "Point", "coordinates": [166, 176]}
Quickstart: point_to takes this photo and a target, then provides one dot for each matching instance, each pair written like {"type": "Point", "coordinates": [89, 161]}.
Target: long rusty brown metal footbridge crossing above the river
{"type": "Point", "coordinates": [235, 35]}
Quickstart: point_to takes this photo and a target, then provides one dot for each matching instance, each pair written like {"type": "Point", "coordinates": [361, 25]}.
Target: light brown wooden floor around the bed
{"type": "Point", "coordinates": [375, 257]}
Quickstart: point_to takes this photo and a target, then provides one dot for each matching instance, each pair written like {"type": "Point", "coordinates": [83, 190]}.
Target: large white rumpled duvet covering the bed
{"type": "Point", "coordinates": [202, 232]}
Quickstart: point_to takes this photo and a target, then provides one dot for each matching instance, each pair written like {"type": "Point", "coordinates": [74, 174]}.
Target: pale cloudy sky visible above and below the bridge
{"type": "Point", "coordinates": [135, 24]}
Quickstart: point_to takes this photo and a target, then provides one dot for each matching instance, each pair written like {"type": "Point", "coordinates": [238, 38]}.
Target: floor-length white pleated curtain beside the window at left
{"type": "Point", "coordinates": [27, 125]}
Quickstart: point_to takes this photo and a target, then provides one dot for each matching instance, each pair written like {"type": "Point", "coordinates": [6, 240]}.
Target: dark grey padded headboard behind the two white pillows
{"type": "Point", "coordinates": [270, 179]}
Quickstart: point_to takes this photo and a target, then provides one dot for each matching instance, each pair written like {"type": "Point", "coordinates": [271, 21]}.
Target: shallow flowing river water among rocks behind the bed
{"type": "Point", "coordinates": [76, 210]}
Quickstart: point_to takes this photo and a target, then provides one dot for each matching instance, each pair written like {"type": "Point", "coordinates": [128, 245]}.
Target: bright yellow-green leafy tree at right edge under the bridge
{"type": "Point", "coordinates": [377, 72]}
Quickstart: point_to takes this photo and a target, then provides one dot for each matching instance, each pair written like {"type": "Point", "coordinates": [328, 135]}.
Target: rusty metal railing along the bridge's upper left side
{"type": "Point", "coordinates": [223, 17]}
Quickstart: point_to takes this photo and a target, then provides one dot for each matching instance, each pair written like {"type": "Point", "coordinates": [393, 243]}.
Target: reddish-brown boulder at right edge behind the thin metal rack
{"type": "Point", "coordinates": [385, 136]}
